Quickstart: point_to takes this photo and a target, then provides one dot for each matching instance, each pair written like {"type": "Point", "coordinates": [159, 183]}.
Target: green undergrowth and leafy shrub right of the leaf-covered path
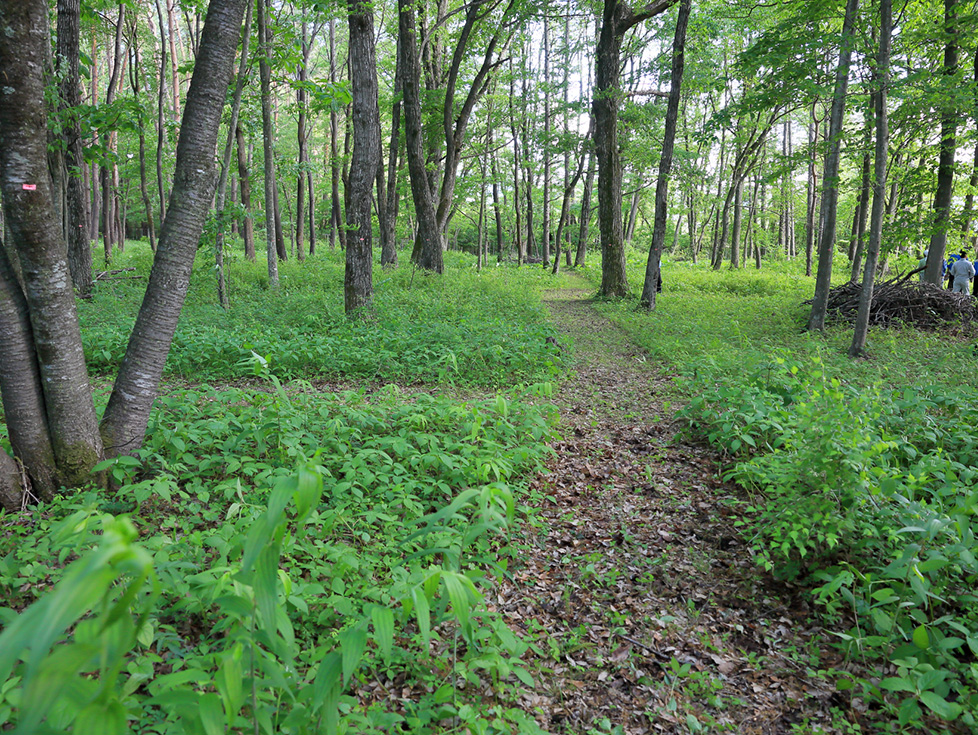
{"type": "Point", "coordinates": [860, 476]}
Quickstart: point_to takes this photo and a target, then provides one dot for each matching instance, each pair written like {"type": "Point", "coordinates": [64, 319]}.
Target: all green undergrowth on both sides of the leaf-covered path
{"type": "Point", "coordinates": [305, 541]}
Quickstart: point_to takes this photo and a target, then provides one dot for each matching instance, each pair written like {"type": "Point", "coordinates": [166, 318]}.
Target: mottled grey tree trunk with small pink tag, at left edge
{"type": "Point", "coordinates": [53, 345]}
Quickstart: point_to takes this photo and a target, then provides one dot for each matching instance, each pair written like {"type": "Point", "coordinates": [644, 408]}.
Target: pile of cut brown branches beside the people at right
{"type": "Point", "coordinates": [905, 301]}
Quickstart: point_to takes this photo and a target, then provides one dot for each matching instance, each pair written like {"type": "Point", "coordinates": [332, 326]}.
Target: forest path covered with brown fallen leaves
{"type": "Point", "coordinates": [653, 616]}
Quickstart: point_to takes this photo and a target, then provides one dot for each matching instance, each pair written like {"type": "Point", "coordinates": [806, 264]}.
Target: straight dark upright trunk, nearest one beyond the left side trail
{"type": "Point", "coordinates": [358, 281]}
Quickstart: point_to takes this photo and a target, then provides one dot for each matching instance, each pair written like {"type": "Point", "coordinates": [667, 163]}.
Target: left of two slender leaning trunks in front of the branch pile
{"type": "Point", "coordinates": [830, 175]}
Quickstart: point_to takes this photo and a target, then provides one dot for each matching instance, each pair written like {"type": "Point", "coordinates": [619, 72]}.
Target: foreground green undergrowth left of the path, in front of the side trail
{"type": "Point", "coordinates": [278, 560]}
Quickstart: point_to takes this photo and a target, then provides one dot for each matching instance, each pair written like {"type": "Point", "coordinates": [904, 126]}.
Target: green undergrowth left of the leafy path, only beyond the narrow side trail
{"type": "Point", "coordinates": [479, 328]}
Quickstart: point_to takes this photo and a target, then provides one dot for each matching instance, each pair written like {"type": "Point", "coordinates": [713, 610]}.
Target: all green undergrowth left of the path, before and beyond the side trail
{"type": "Point", "coordinates": [274, 541]}
